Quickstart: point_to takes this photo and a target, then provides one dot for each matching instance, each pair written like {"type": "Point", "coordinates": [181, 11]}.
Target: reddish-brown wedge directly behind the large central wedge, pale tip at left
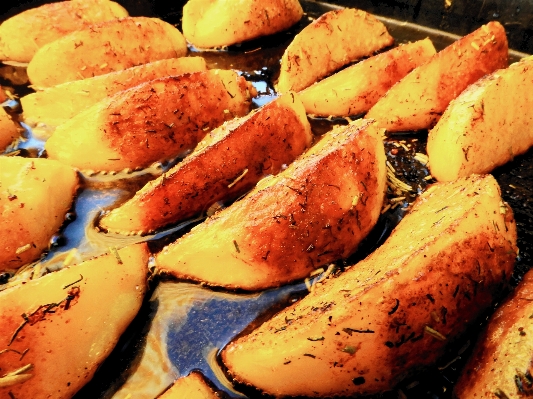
{"type": "Point", "coordinates": [256, 145]}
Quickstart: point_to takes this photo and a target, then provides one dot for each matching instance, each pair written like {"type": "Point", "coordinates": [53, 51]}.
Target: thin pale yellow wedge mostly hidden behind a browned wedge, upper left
{"type": "Point", "coordinates": [55, 105]}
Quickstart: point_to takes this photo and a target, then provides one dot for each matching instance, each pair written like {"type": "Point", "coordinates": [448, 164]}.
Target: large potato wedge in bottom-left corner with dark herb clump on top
{"type": "Point", "coordinates": [57, 330]}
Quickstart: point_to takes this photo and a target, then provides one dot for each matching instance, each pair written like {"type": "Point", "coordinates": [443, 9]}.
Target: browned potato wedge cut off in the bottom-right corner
{"type": "Point", "coordinates": [501, 362]}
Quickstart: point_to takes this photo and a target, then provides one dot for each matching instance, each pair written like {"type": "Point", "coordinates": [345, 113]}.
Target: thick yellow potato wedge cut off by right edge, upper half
{"type": "Point", "coordinates": [481, 129]}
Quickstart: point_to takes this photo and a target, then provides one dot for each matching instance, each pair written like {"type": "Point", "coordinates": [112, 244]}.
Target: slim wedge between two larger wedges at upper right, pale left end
{"type": "Point", "coordinates": [356, 89]}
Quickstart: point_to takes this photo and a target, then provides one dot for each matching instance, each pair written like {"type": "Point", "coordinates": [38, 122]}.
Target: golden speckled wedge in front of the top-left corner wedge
{"type": "Point", "coordinates": [103, 48]}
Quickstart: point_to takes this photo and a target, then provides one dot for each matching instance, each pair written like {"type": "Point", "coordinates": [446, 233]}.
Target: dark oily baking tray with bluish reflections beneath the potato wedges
{"type": "Point", "coordinates": [182, 326]}
